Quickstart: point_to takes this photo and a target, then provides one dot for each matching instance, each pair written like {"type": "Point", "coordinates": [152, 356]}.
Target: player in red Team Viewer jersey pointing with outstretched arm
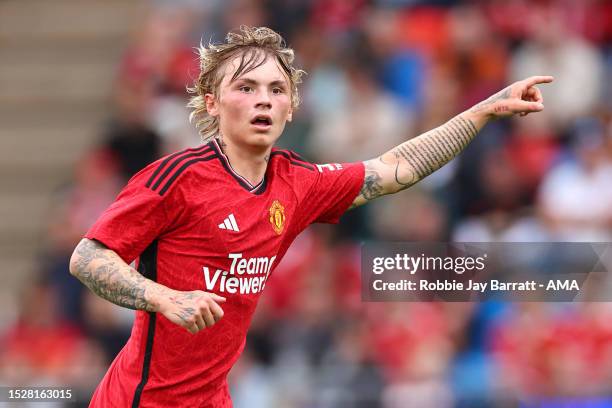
{"type": "Point", "coordinates": [209, 225]}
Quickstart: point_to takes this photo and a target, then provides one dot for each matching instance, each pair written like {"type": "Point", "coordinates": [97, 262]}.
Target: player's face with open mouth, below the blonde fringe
{"type": "Point", "coordinates": [254, 108]}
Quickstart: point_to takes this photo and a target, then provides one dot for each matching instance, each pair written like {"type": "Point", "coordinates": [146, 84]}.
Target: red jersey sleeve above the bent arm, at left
{"type": "Point", "coordinates": [137, 217]}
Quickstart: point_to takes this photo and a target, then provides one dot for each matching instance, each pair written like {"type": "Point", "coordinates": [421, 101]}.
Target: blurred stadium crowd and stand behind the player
{"type": "Point", "coordinates": [91, 91]}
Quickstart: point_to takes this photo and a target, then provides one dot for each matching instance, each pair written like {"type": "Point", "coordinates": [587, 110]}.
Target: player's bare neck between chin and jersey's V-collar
{"type": "Point", "coordinates": [249, 163]}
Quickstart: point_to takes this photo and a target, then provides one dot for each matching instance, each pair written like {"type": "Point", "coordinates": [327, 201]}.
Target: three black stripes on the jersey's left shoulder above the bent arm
{"type": "Point", "coordinates": [171, 168]}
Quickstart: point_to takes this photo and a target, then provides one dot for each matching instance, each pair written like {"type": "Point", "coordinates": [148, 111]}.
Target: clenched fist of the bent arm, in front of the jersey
{"type": "Point", "coordinates": [195, 310]}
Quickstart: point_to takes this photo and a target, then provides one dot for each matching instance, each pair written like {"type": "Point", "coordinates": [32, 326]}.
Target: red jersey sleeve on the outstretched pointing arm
{"type": "Point", "coordinates": [332, 190]}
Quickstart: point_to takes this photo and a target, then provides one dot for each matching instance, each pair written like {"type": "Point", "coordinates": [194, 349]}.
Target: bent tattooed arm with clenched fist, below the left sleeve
{"type": "Point", "coordinates": [109, 277]}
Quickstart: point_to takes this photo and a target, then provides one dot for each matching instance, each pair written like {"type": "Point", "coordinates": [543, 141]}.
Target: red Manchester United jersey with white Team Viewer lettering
{"type": "Point", "coordinates": [195, 224]}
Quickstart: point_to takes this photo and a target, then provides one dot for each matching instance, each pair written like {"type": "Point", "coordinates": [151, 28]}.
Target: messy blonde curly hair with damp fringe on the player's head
{"type": "Point", "coordinates": [254, 45]}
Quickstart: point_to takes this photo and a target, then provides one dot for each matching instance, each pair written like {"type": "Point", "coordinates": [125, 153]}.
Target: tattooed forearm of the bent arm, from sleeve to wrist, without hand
{"type": "Point", "coordinates": [105, 273]}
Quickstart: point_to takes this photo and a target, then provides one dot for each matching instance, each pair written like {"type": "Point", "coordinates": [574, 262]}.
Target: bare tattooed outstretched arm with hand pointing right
{"type": "Point", "coordinates": [417, 158]}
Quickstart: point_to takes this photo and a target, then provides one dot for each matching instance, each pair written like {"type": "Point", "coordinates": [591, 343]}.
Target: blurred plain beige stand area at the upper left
{"type": "Point", "coordinates": [58, 62]}
